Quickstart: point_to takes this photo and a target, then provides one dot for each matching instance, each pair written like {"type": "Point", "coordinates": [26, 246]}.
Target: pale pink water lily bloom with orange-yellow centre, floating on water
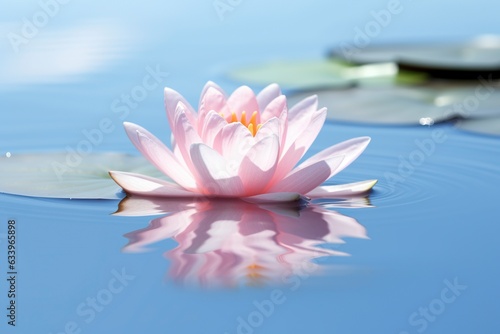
{"type": "Point", "coordinates": [243, 146]}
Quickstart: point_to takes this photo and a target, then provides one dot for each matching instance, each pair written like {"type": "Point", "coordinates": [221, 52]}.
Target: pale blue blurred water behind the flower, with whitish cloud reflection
{"type": "Point", "coordinates": [72, 60]}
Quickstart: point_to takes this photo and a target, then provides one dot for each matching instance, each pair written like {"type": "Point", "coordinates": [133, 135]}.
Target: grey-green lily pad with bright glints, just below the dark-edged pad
{"type": "Point", "coordinates": [406, 105]}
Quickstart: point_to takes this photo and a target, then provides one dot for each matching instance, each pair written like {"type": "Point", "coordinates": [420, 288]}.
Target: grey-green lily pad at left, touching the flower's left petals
{"type": "Point", "coordinates": [64, 175]}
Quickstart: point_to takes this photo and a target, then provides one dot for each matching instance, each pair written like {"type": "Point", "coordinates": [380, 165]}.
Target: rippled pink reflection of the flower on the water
{"type": "Point", "coordinates": [232, 242]}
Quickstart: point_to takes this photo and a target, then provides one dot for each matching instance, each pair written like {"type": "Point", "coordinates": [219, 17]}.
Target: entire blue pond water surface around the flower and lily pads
{"type": "Point", "coordinates": [429, 259]}
